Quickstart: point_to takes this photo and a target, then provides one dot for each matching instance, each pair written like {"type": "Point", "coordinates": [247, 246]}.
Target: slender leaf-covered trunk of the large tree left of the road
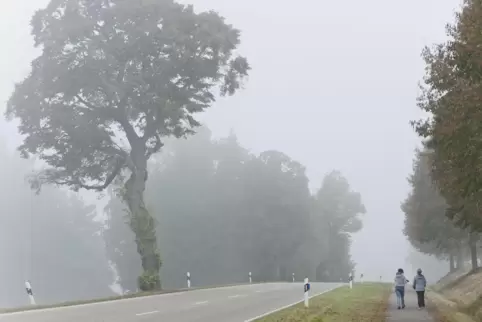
{"type": "Point", "coordinates": [143, 226]}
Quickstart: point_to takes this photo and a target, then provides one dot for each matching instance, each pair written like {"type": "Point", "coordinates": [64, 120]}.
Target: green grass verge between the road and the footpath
{"type": "Point", "coordinates": [366, 302]}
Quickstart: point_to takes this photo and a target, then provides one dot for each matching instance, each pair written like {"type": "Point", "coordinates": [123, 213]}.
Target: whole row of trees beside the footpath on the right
{"type": "Point", "coordinates": [443, 211]}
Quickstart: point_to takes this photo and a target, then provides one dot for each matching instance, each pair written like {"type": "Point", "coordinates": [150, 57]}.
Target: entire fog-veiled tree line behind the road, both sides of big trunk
{"type": "Point", "coordinates": [220, 212]}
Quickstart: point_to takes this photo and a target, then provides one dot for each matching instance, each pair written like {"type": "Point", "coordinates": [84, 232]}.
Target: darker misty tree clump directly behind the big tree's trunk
{"type": "Point", "coordinates": [222, 212]}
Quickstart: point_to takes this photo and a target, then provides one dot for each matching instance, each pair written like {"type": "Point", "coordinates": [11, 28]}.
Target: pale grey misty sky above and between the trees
{"type": "Point", "coordinates": [333, 85]}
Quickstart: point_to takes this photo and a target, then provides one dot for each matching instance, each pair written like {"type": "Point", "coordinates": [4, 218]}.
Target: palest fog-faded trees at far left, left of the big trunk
{"type": "Point", "coordinates": [50, 239]}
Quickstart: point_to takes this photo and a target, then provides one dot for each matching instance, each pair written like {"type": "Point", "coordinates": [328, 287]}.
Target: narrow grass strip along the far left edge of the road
{"type": "Point", "coordinates": [111, 298]}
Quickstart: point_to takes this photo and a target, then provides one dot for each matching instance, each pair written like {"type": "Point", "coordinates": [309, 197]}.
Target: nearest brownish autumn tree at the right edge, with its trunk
{"type": "Point", "coordinates": [452, 95]}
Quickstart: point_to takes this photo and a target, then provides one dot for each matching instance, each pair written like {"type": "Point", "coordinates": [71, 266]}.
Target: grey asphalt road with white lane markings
{"type": "Point", "coordinates": [226, 304]}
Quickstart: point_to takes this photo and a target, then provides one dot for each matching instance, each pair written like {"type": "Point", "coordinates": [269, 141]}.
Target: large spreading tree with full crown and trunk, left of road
{"type": "Point", "coordinates": [113, 79]}
